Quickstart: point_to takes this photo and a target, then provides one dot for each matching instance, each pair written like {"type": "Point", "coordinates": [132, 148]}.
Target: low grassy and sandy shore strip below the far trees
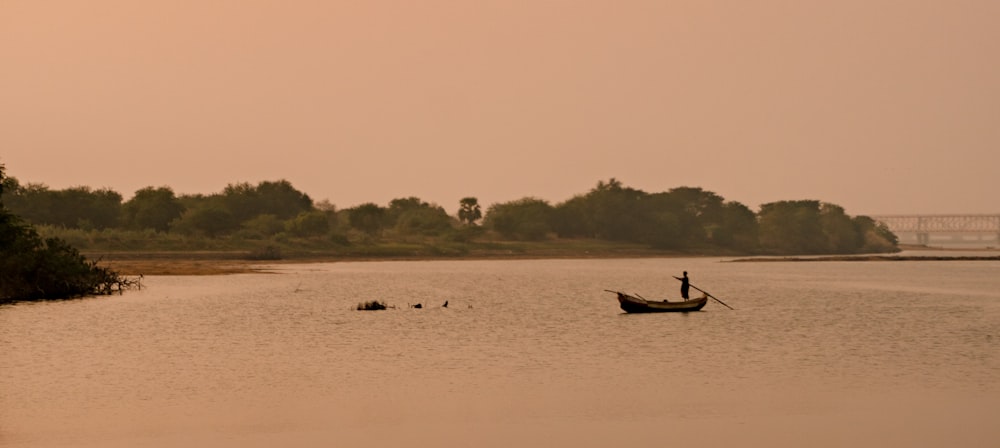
{"type": "Point", "coordinates": [150, 253]}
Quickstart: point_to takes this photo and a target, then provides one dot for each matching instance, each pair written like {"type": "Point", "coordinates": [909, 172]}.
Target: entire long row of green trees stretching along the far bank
{"type": "Point", "coordinates": [683, 218]}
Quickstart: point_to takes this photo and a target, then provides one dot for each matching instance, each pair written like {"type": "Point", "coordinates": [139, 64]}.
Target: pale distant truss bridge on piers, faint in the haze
{"type": "Point", "coordinates": [955, 228]}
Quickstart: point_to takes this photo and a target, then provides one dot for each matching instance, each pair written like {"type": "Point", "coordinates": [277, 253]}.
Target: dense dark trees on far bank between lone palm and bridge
{"type": "Point", "coordinates": [690, 218]}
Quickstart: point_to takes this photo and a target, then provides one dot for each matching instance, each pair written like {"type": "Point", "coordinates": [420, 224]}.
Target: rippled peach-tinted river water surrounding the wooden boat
{"type": "Point", "coordinates": [528, 353]}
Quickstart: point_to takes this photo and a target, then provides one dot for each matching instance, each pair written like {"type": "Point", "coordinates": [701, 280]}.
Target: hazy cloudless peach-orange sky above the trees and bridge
{"type": "Point", "coordinates": [878, 106]}
